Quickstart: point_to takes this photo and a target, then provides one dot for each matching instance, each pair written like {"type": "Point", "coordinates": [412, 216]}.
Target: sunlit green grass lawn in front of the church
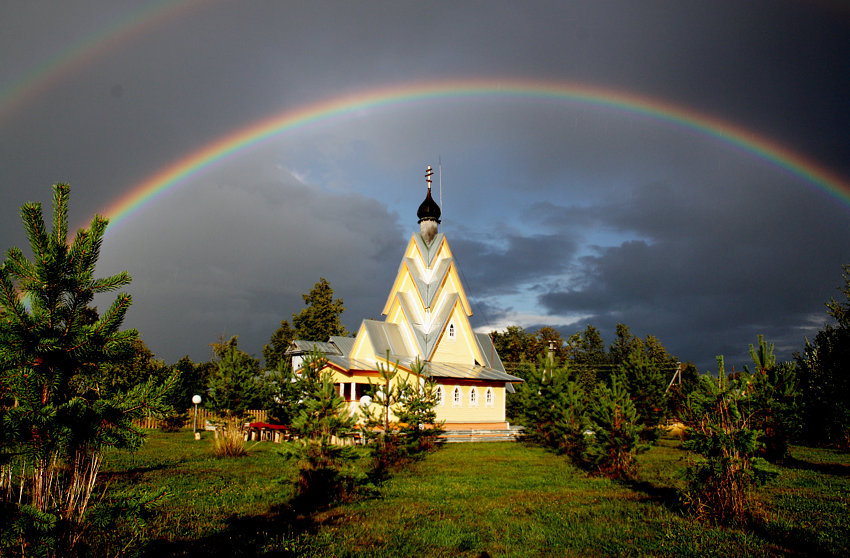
{"type": "Point", "coordinates": [493, 499]}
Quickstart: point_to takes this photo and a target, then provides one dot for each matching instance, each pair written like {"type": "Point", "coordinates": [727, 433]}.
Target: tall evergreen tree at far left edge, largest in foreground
{"type": "Point", "coordinates": [57, 415]}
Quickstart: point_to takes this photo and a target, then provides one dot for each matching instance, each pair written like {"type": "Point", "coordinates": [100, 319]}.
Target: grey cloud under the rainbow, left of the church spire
{"type": "Point", "coordinates": [234, 255]}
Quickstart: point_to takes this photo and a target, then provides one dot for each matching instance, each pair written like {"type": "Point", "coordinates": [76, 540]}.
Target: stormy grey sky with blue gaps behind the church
{"type": "Point", "coordinates": [560, 212]}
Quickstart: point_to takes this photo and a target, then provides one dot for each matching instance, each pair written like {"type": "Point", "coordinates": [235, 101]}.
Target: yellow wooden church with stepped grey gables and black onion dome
{"type": "Point", "coordinates": [426, 318]}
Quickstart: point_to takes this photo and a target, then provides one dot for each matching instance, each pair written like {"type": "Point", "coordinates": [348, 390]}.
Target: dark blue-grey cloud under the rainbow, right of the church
{"type": "Point", "coordinates": [732, 267]}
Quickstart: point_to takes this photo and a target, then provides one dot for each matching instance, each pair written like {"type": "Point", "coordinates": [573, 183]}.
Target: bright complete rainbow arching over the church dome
{"type": "Point", "coordinates": [144, 193]}
